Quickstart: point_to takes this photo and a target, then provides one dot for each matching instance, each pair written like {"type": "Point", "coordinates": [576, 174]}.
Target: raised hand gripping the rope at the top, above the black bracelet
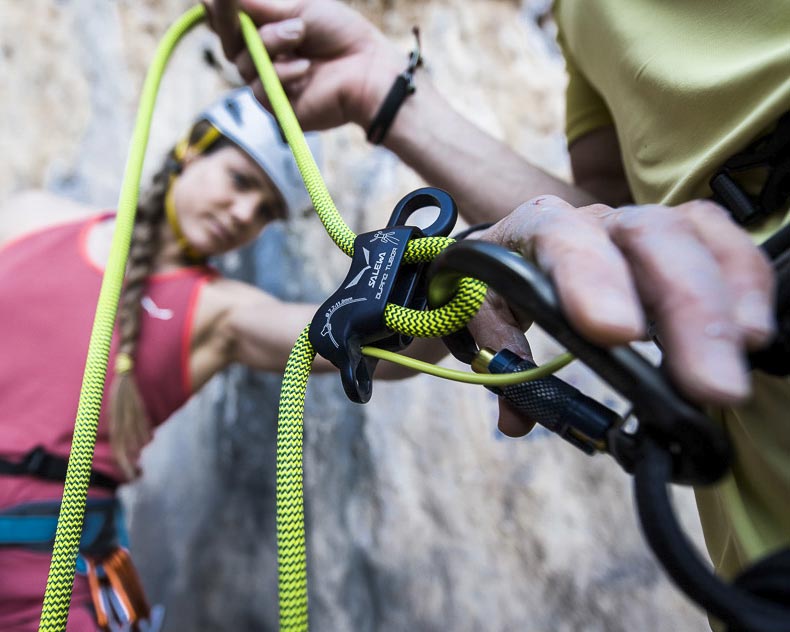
{"type": "Point", "coordinates": [335, 65]}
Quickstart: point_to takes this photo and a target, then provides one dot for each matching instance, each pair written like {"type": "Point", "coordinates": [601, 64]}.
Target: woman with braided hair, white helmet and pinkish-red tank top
{"type": "Point", "coordinates": [179, 323]}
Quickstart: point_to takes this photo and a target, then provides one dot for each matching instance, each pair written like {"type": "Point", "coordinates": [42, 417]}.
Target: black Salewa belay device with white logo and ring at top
{"type": "Point", "coordinates": [354, 315]}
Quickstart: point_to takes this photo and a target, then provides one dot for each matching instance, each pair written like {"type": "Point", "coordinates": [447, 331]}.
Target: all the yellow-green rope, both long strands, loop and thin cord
{"type": "Point", "coordinates": [290, 506]}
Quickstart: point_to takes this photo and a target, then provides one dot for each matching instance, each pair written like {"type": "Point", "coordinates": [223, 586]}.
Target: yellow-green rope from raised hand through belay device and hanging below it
{"type": "Point", "coordinates": [451, 317]}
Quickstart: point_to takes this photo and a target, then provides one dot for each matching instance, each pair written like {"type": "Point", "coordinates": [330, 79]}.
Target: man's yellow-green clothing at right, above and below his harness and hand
{"type": "Point", "coordinates": [687, 84]}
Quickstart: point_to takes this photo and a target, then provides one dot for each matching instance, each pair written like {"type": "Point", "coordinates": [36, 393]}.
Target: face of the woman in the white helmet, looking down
{"type": "Point", "coordinates": [223, 200]}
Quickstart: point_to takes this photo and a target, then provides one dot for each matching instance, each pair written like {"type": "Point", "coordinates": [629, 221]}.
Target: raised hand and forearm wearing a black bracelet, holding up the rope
{"type": "Point", "coordinates": [351, 67]}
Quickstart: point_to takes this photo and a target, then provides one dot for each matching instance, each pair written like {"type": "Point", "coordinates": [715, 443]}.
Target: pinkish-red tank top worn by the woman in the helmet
{"type": "Point", "coordinates": [48, 294]}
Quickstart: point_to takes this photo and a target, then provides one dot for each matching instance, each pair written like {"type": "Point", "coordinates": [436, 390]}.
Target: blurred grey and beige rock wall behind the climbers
{"type": "Point", "coordinates": [420, 515]}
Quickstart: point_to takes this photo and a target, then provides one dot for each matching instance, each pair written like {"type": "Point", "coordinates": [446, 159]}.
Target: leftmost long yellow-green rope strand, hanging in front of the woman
{"type": "Point", "coordinates": [57, 595]}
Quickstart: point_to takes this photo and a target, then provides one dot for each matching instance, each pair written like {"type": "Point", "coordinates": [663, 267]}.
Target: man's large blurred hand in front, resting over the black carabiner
{"type": "Point", "coordinates": [688, 268]}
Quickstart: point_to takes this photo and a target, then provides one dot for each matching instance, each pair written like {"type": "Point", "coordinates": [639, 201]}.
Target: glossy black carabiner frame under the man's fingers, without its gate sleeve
{"type": "Point", "coordinates": [700, 450]}
